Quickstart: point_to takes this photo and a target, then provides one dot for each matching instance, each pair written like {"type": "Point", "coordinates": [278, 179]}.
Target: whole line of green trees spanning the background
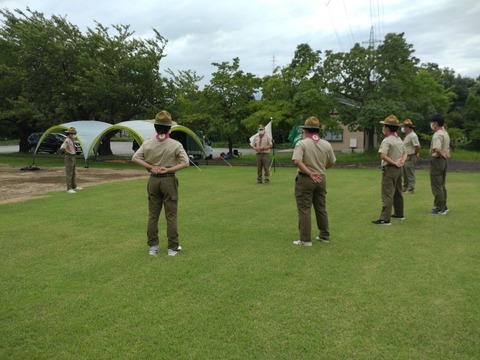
{"type": "Point", "coordinates": [51, 72]}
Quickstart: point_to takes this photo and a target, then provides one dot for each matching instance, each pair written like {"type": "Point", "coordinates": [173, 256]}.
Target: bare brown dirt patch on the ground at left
{"type": "Point", "coordinates": [18, 185]}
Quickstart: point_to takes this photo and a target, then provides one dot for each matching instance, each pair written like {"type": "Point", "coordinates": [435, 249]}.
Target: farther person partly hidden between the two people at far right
{"type": "Point", "coordinates": [412, 148]}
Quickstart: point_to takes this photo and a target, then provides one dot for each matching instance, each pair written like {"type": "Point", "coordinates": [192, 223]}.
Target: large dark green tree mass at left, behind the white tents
{"type": "Point", "coordinates": [53, 73]}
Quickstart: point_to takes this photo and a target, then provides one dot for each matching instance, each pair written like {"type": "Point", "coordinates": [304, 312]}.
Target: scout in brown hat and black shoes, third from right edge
{"type": "Point", "coordinates": [393, 156]}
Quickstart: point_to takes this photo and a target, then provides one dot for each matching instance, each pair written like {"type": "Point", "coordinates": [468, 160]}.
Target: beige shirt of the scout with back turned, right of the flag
{"type": "Point", "coordinates": [314, 155]}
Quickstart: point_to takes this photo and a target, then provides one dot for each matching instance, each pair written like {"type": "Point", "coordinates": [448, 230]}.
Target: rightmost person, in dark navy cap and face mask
{"type": "Point", "coordinates": [439, 152]}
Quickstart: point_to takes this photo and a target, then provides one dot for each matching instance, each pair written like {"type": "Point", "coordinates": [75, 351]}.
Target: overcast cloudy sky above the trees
{"type": "Point", "coordinates": [265, 33]}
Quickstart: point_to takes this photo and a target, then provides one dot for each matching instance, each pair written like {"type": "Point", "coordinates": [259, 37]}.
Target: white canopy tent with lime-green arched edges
{"type": "Point", "coordinates": [91, 132]}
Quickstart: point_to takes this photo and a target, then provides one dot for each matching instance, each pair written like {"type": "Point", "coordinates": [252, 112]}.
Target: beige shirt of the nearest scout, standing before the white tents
{"type": "Point", "coordinates": [167, 153]}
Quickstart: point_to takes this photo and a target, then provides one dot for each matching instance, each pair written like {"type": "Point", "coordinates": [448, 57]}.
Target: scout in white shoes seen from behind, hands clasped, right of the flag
{"type": "Point", "coordinates": [312, 156]}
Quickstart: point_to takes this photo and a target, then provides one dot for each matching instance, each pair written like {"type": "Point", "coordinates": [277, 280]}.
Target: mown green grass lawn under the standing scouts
{"type": "Point", "coordinates": [76, 280]}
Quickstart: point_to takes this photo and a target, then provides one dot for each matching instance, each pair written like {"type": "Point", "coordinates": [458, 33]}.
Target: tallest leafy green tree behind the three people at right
{"type": "Point", "coordinates": [374, 83]}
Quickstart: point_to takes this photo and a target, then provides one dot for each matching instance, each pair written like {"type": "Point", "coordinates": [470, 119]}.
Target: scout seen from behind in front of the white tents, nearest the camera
{"type": "Point", "coordinates": [162, 157]}
